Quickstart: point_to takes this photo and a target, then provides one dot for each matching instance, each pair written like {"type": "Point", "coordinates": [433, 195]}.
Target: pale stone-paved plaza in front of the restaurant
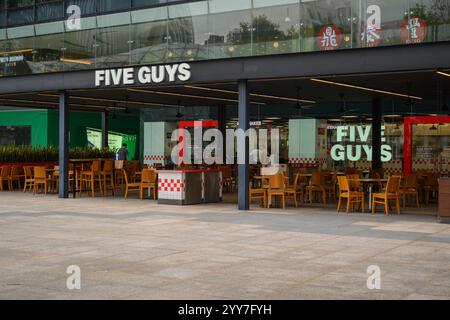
{"type": "Point", "coordinates": [133, 249]}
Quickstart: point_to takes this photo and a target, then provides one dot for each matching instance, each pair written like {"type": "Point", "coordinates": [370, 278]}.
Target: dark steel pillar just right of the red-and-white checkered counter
{"type": "Point", "coordinates": [243, 147]}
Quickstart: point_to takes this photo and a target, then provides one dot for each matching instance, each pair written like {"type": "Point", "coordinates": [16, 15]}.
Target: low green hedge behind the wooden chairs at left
{"type": "Point", "coordinates": [17, 154]}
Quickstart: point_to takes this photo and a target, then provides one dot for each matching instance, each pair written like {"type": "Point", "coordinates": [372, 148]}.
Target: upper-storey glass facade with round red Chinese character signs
{"type": "Point", "coordinates": [46, 36]}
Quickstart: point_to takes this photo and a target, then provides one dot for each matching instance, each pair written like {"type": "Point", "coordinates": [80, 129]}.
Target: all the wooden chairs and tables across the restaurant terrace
{"type": "Point", "coordinates": [350, 191]}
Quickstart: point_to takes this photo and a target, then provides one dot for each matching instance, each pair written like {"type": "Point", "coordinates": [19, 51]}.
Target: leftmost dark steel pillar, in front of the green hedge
{"type": "Point", "coordinates": [63, 144]}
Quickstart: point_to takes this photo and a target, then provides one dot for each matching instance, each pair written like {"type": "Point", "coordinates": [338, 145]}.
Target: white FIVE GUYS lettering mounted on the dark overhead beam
{"type": "Point", "coordinates": [143, 75]}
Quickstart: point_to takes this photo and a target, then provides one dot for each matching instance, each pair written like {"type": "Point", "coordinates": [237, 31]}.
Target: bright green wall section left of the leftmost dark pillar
{"type": "Point", "coordinates": [37, 119]}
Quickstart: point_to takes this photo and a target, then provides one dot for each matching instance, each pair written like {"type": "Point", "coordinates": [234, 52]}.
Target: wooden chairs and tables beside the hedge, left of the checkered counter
{"type": "Point", "coordinates": [87, 177]}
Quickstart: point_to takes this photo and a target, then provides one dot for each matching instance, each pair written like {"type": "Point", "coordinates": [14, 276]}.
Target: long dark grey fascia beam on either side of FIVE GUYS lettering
{"type": "Point", "coordinates": [314, 64]}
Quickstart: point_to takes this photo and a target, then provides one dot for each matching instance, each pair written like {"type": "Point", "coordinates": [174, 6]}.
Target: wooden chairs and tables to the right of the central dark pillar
{"type": "Point", "coordinates": [353, 190]}
